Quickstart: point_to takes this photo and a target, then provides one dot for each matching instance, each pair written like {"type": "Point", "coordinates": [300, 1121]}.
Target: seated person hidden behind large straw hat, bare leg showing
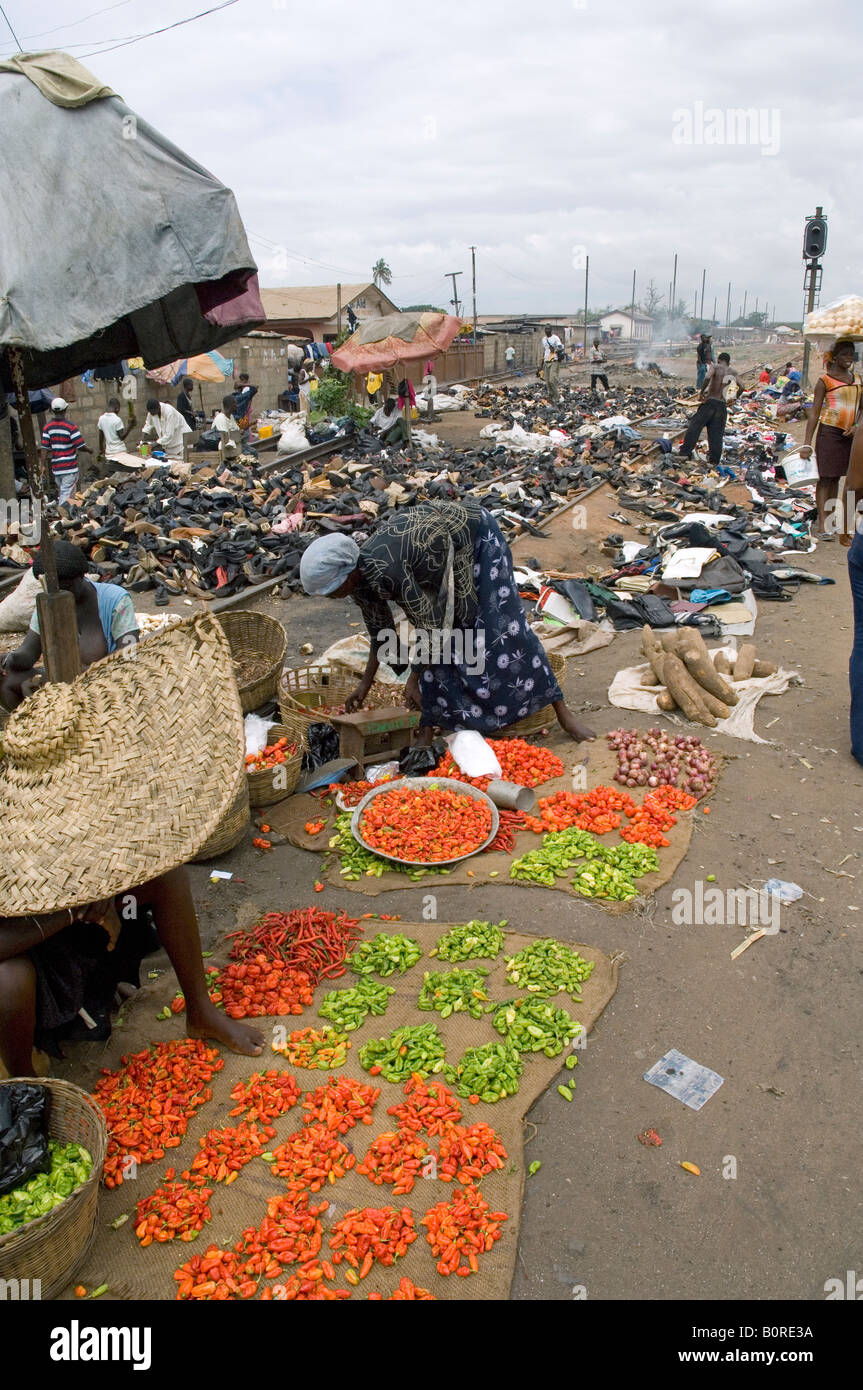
{"type": "Point", "coordinates": [109, 787]}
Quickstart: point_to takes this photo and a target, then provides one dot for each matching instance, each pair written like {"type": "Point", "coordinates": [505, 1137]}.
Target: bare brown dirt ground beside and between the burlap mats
{"type": "Point", "coordinates": [778, 1209]}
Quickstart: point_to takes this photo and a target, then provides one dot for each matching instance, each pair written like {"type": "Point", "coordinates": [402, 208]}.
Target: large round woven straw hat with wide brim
{"type": "Point", "coordinates": [123, 775]}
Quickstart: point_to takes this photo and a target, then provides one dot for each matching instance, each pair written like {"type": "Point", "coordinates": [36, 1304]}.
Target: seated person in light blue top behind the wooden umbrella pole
{"type": "Point", "coordinates": [106, 621]}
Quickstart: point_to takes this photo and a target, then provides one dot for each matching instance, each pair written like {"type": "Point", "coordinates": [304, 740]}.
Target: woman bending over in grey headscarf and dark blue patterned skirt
{"type": "Point", "coordinates": [448, 566]}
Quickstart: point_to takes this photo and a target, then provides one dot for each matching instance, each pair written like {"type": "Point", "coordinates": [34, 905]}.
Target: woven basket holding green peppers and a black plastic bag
{"type": "Point", "coordinates": [52, 1248]}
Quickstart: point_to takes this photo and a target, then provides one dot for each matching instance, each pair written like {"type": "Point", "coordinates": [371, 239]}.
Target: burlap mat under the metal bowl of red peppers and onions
{"type": "Point", "coordinates": [288, 818]}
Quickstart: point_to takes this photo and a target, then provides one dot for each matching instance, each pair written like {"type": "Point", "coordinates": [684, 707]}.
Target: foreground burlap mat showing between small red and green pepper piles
{"type": "Point", "coordinates": [131, 1273]}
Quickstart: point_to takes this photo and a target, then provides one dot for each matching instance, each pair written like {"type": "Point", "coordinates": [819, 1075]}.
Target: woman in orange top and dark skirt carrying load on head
{"type": "Point", "coordinates": [836, 411]}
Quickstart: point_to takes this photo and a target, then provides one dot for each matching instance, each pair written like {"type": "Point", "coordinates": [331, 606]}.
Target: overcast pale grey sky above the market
{"type": "Point", "coordinates": [539, 133]}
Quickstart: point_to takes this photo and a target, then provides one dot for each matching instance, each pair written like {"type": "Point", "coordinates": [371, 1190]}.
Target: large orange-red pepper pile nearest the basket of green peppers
{"type": "Point", "coordinates": [149, 1102]}
